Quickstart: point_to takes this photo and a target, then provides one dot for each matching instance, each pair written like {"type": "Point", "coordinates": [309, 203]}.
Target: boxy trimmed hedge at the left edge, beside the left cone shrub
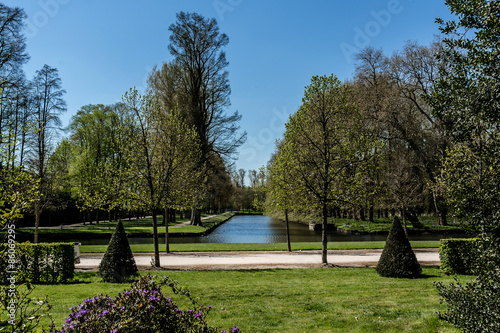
{"type": "Point", "coordinates": [37, 263]}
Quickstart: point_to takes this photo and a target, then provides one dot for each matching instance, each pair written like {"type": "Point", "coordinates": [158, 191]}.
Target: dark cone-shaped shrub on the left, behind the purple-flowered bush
{"type": "Point", "coordinates": [118, 263]}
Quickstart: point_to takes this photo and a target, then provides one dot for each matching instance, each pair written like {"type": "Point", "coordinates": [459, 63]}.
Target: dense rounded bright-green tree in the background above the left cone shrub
{"type": "Point", "coordinates": [99, 169]}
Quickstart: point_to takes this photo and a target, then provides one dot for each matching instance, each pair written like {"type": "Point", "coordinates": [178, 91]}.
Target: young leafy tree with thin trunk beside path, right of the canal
{"type": "Point", "coordinates": [325, 146]}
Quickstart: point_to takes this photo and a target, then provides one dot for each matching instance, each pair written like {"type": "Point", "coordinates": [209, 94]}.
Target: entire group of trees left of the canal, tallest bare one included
{"type": "Point", "coordinates": [170, 148]}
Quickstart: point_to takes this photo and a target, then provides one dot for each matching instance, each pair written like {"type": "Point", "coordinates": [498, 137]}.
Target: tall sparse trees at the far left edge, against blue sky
{"type": "Point", "coordinates": [29, 121]}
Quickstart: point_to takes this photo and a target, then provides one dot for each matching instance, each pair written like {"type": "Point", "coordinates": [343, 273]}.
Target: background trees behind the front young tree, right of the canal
{"type": "Point", "coordinates": [386, 101]}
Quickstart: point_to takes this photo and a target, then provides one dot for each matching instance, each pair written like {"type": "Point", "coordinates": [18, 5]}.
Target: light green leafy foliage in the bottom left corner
{"type": "Point", "coordinates": [20, 312]}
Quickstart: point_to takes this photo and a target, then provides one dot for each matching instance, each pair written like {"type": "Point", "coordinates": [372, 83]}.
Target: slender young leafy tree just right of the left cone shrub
{"type": "Point", "coordinates": [163, 152]}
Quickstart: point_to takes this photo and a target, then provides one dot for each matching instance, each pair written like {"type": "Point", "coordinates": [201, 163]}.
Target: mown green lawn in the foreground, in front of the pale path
{"type": "Point", "coordinates": [291, 300]}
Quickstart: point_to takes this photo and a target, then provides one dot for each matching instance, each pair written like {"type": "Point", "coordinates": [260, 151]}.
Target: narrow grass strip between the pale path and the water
{"type": "Point", "coordinates": [201, 247]}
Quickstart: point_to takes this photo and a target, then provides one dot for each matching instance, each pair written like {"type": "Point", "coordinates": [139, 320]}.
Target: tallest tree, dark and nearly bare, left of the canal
{"type": "Point", "coordinates": [197, 81]}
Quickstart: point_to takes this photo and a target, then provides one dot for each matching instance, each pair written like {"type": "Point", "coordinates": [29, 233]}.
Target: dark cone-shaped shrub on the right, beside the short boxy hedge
{"type": "Point", "coordinates": [398, 258]}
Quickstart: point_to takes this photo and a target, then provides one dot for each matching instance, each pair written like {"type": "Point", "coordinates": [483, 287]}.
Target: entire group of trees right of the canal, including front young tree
{"type": "Point", "coordinates": [369, 144]}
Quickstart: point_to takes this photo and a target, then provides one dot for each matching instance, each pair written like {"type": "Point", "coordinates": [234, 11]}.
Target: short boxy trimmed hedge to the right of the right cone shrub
{"type": "Point", "coordinates": [458, 255]}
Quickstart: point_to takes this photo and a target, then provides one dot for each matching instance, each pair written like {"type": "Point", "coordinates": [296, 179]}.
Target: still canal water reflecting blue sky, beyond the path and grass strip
{"type": "Point", "coordinates": [264, 229]}
